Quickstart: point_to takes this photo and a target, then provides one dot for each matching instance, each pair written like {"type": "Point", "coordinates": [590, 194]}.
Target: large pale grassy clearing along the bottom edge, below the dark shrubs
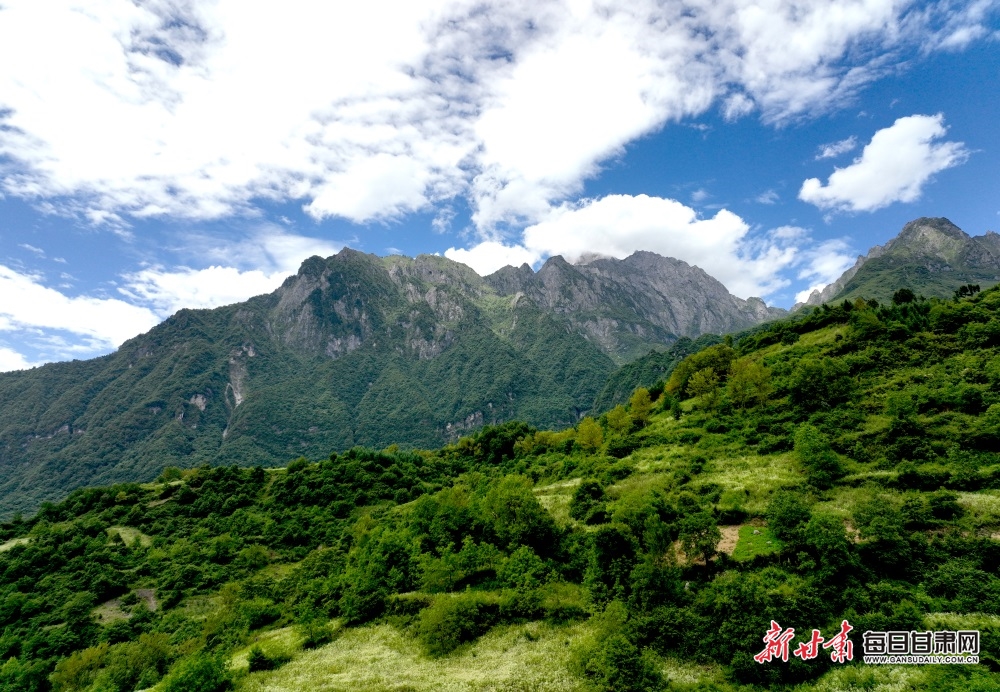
{"type": "Point", "coordinates": [533, 656]}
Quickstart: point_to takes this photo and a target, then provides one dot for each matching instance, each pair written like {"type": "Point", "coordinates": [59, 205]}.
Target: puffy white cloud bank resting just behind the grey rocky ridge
{"type": "Point", "coordinates": [618, 225]}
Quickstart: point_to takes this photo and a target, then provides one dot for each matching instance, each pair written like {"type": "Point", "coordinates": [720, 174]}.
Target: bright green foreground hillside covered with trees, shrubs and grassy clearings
{"type": "Point", "coordinates": [837, 466]}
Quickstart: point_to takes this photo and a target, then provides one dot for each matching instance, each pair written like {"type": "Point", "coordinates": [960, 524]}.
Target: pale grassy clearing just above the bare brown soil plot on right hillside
{"type": "Point", "coordinates": [759, 476]}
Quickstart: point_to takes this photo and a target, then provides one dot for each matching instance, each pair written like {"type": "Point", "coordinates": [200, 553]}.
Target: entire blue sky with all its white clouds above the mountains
{"type": "Point", "coordinates": [178, 153]}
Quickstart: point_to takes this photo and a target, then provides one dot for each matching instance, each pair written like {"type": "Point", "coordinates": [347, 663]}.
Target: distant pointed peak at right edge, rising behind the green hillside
{"type": "Point", "coordinates": [931, 256]}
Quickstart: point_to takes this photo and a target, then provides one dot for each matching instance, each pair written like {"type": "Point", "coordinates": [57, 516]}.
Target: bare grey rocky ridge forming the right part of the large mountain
{"type": "Point", "coordinates": [628, 306]}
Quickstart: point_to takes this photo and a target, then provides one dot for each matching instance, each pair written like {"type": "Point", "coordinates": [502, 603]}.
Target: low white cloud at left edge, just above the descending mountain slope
{"type": "Point", "coordinates": [29, 305]}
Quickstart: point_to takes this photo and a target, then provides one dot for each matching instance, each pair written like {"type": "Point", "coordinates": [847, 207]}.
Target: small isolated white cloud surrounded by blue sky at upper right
{"type": "Point", "coordinates": [894, 167]}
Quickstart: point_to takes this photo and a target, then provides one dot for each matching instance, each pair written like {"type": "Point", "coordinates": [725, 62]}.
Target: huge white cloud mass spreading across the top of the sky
{"type": "Point", "coordinates": [374, 110]}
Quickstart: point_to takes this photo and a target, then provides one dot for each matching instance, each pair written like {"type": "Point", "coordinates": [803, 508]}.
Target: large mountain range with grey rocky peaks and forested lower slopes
{"type": "Point", "coordinates": [353, 350]}
